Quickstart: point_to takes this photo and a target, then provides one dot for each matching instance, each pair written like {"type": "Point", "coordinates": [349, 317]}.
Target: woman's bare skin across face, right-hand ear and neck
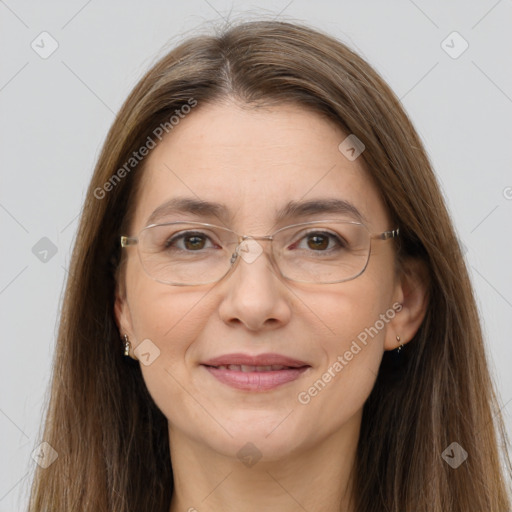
{"type": "Point", "coordinates": [254, 160]}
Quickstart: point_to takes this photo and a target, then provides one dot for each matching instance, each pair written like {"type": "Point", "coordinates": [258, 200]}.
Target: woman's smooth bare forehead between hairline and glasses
{"type": "Point", "coordinates": [258, 165]}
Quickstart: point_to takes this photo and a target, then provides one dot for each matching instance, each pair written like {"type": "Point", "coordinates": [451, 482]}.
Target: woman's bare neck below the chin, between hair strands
{"type": "Point", "coordinates": [316, 478]}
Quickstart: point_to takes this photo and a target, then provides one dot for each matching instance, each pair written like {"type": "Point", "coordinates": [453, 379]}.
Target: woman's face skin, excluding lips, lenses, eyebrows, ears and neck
{"type": "Point", "coordinates": [254, 162]}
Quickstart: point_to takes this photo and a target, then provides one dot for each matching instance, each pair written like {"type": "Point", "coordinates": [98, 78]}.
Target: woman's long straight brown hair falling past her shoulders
{"type": "Point", "coordinates": [111, 439]}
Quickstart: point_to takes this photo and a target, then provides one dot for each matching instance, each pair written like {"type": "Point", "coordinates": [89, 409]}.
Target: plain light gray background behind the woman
{"type": "Point", "coordinates": [55, 113]}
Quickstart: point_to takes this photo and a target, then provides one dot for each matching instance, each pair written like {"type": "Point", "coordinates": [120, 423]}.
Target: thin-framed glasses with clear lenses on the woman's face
{"type": "Point", "coordinates": [195, 253]}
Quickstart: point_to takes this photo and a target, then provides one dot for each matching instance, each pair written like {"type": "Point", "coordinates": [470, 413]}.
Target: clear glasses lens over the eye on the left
{"type": "Point", "coordinates": [186, 253]}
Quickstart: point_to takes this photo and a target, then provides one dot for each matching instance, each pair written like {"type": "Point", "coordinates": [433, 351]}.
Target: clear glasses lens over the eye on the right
{"type": "Point", "coordinates": [324, 252]}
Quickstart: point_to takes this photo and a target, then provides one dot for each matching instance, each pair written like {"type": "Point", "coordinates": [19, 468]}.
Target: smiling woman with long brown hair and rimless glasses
{"type": "Point", "coordinates": [268, 308]}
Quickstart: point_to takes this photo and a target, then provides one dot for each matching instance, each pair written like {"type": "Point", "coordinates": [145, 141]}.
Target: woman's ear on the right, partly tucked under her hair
{"type": "Point", "coordinates": [412, 294]}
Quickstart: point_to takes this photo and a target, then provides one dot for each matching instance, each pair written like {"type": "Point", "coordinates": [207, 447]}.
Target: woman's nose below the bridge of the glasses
{"type": "Point", "coordinates": [253, 294]}
